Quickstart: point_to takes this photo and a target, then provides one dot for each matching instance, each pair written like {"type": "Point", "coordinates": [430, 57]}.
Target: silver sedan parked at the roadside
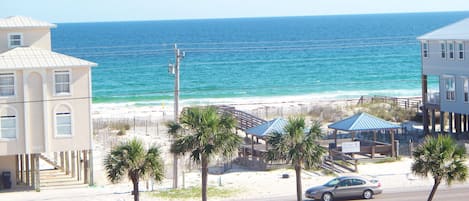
{"type": "Point", "coordinates": [344, 187]}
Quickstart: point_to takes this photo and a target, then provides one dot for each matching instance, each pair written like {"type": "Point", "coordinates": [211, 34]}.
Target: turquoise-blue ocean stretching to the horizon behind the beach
{"type": "Point", "coordinates": [325, 57]}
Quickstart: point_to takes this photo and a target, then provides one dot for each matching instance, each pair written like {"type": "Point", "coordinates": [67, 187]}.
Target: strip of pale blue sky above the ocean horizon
{"type": "Point", "coordinates": [129, 10]}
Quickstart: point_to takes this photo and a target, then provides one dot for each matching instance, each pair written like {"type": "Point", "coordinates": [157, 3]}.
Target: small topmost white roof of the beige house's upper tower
{"type": "Point", "coordinates": [24, 22]}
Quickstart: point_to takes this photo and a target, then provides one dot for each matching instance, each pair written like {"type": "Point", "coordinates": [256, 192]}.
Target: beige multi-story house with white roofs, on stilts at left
{"type": "Point", "coordinates": [45, 101]}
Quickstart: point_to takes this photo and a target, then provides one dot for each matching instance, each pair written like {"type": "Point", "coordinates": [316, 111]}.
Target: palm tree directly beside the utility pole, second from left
{"type": "Point", "coordinates": [209, 134]}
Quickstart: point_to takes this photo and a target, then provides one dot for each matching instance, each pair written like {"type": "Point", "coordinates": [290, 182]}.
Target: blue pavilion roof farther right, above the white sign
{"type": "Point", "coordinates": [362, 122]}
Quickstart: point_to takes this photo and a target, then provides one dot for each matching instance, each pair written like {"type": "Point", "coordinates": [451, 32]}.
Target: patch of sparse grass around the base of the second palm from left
{"type": "Point", "coordinates": [195, 193]}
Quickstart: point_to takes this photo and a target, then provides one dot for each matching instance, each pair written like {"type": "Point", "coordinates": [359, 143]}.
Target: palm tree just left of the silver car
{"type": "Point", "coordinates": [298, 147]}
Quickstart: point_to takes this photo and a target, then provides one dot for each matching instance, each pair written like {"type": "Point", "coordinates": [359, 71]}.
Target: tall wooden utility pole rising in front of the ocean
{"type": "Point", "coordinates": [174, 69]}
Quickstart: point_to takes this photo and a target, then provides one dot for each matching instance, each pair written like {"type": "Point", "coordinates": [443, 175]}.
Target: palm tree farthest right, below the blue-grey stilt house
{"type": "Point", "coordinates": [442, 158]}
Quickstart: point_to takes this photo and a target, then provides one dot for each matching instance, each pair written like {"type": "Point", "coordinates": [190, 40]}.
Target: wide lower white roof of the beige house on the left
{"type": "Point", "coordinates": [30, 57]}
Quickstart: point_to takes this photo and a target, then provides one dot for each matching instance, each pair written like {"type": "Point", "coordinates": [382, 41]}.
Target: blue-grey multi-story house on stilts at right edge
{"type": "Point", "coordinates": [444, 58]}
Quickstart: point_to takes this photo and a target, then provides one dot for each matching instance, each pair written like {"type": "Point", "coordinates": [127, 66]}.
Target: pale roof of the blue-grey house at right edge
{"type": "Point", "coordinates": [455, 31]}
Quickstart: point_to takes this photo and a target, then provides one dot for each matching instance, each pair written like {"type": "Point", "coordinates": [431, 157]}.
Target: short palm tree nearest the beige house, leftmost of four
{"type": "Point", "coordinates": [132, 159]}
